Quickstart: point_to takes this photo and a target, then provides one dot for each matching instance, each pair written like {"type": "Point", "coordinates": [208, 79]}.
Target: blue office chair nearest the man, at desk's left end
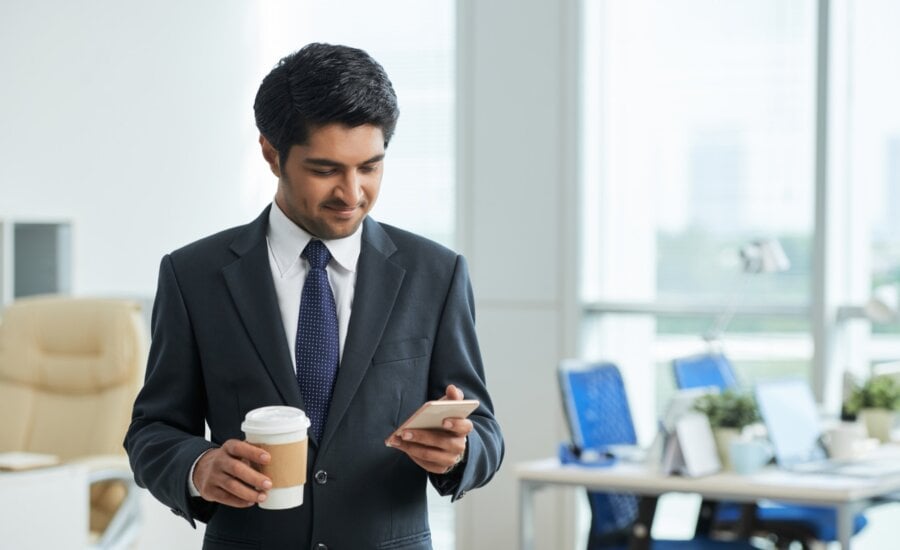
{"type": "Point", "coordinates": [598, 415]}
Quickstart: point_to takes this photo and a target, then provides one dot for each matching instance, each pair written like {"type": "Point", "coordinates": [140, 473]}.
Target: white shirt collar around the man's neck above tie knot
{"type": "Point", "coordinates": [287, 240]}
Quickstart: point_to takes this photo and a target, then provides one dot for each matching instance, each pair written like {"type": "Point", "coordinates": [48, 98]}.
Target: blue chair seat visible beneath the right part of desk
{"type": "Point", "coordinates": [820, 520]}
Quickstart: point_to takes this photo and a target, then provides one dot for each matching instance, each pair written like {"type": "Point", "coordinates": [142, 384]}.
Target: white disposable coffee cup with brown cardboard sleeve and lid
{"type": "Point", "coordinates": [281, 431]}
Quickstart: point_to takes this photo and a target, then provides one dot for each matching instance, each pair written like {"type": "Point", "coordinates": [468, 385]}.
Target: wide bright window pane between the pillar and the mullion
{"type": "Point", "coordinates": [698, 138]}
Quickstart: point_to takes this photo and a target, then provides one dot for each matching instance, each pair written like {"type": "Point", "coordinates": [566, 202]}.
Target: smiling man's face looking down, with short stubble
{"type": "Point", "coordinates": [329, 185]}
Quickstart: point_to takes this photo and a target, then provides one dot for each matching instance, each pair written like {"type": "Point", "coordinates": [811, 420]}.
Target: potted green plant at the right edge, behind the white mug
{"type": "Point", "coordinates": [875, 403]}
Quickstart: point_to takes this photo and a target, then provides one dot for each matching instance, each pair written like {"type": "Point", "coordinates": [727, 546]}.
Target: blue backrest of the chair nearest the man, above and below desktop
{"type": "Point", "coordinates": [597, 411]}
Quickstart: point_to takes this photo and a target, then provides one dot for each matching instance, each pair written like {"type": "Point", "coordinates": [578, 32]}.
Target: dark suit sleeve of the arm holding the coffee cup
{"type": "Point", "coordinates": [166, 434]}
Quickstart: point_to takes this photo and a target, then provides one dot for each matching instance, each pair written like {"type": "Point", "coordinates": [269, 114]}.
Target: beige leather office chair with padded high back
{"type": "Point", "coordinates": [69, 371]}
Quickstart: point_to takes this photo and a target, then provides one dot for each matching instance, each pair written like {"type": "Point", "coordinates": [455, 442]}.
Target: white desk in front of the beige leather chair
{"type": "Point", "coordinates": [44, 508]}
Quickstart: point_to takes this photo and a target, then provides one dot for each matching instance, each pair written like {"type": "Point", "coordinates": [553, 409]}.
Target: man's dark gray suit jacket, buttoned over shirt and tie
{"type": "Point", "coordinates": [219, 350]}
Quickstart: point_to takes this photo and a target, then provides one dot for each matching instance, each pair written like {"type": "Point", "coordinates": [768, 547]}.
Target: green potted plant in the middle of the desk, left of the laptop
{"type": "Point", "coordinates": [729, 413]}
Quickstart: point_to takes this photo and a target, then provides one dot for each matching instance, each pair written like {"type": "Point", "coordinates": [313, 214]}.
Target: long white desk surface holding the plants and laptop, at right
{"type": "Point", "coordinates": [770, 484]}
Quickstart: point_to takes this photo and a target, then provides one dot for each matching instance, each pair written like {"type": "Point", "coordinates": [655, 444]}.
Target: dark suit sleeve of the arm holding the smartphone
{"type": "Point", "coordinates": [456, 359]}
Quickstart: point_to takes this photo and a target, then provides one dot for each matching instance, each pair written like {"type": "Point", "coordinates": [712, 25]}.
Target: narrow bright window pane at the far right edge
{"type": "Point", "coordinates": [873, 149]}
